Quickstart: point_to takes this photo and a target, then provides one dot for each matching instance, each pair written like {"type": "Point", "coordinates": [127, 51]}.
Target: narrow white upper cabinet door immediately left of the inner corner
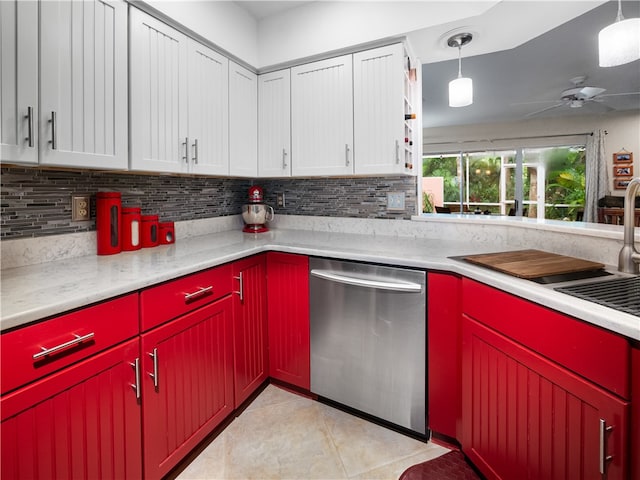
{"type": "Point", "coordinates": [243, 121]}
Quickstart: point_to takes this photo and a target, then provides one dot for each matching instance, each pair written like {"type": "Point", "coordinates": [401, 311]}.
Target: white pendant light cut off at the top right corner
{"type": "Point", "coordinates": [619, 43]}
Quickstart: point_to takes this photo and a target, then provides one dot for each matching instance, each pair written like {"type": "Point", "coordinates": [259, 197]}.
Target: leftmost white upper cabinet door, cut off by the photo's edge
{"type": "Point", "coordinates": [19, 82]}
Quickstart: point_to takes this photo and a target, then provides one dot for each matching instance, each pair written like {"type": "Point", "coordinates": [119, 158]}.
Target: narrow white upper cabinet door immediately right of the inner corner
{"type": "Point", "coordinates": [274, 124]}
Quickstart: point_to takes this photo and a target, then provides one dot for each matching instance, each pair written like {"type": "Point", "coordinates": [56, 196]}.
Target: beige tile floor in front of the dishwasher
{"type": "Point", "coordinates": [282, 435]}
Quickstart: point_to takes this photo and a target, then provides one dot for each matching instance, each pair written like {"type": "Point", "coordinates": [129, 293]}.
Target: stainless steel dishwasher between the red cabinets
{"type": "Point", "coordinates": [368, 339]}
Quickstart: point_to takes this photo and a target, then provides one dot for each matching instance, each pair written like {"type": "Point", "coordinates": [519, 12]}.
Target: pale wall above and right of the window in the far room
{"type": "Point", "coordinates": [623, 132]}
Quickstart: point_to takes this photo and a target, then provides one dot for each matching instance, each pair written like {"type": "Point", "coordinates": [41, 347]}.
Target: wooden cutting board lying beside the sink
{"type": "Point", "coordinates": [533, 263]}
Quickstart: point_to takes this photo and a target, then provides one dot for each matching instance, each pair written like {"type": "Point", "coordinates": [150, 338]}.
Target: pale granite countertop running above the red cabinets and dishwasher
{"type": "Point", "coordinates": [38, 291]}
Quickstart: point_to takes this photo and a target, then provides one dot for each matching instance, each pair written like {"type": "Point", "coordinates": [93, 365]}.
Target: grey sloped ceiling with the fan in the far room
{"type": "Point", "coordinates": [511, 84]}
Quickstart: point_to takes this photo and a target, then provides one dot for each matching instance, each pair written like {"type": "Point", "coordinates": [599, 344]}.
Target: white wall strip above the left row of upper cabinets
{"type": "Point", "coordinates": [223, 23]}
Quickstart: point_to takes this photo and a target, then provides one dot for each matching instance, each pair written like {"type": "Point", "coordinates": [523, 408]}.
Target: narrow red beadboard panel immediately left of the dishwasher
{"type": "Point", "coordinates": [288, 313]}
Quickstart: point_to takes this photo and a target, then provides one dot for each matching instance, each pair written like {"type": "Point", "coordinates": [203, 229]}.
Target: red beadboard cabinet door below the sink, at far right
{"type": "Point", "coordinates": [526, 417]}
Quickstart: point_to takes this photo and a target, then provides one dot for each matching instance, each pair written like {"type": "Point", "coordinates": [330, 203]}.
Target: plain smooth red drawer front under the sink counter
{"type": "Point", "coordinates": [590, 351]}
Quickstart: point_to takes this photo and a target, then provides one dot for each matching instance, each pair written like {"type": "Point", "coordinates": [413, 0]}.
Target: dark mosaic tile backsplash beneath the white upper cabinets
{"type": "Point", "coordinates": [37, 202]}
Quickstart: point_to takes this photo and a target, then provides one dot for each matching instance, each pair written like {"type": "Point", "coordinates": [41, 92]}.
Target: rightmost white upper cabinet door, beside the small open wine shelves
{"type": "Point", "coordinates": [378, 108]}
